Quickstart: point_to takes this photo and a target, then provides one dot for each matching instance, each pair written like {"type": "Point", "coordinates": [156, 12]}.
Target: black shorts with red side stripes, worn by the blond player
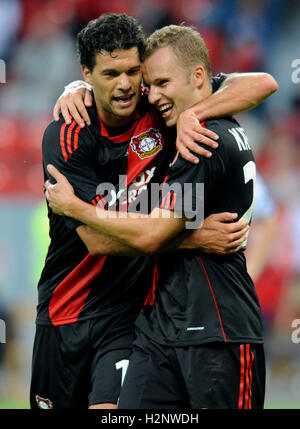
{"type": "Point", "coordinates": [212, 376]}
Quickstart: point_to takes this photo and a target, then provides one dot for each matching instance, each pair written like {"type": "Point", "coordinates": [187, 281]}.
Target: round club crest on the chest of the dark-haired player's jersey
{"type": "Point", "coordinates": [147, 144]}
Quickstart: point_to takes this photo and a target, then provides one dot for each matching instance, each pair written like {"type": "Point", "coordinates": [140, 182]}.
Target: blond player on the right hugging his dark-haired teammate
{"type": "Point", "coordinates": [199, 337]}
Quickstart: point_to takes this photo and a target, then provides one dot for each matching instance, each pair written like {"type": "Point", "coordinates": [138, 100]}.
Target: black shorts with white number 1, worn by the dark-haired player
{"type": "Point", "coordinates": [77, 365]}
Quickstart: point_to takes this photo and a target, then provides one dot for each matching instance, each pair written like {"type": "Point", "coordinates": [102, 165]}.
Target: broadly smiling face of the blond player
{"type": "Point", "coordinates": [172, 89]}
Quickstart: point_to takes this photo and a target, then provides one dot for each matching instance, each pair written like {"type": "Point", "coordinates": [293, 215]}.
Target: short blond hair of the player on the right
{"type": "Point", "coordinates": [186, 43]}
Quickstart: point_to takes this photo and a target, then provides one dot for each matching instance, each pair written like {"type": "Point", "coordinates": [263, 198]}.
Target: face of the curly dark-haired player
{"type": "Point", "coordinates": [116, 79]}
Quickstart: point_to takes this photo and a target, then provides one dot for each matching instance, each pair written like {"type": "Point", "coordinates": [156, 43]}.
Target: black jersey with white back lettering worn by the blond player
{"type": "Point", "coordinates": [199, 297]}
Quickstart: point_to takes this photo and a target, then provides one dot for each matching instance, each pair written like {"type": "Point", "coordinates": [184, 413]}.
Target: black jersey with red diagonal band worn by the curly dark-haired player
{"type": "Point", "coordinates": [75, 285]}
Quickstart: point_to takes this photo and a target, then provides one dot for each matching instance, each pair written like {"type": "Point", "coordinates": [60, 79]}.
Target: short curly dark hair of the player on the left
{"type": "Point", "coordinates": [109, 32]}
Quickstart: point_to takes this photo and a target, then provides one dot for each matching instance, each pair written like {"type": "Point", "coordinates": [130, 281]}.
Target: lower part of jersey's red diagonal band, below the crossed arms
{"type": "Point", "coordinates": [70, 295]}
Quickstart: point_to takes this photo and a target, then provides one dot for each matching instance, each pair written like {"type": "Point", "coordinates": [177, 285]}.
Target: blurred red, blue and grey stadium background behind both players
{"type": "Point", "coordinates": [37, 48]}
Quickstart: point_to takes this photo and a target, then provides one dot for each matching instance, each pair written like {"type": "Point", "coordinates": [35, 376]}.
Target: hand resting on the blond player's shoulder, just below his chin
{"type": "Point", "coordinates": [190, 131]}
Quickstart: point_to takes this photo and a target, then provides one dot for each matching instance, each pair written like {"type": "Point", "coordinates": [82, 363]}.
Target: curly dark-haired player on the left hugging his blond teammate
{"type": "Point", "coordinates": [90, 291]}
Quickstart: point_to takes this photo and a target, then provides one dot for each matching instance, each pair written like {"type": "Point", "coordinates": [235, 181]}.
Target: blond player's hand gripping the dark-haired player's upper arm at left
{"type": "Point", "coordinates": [60, 194]}
